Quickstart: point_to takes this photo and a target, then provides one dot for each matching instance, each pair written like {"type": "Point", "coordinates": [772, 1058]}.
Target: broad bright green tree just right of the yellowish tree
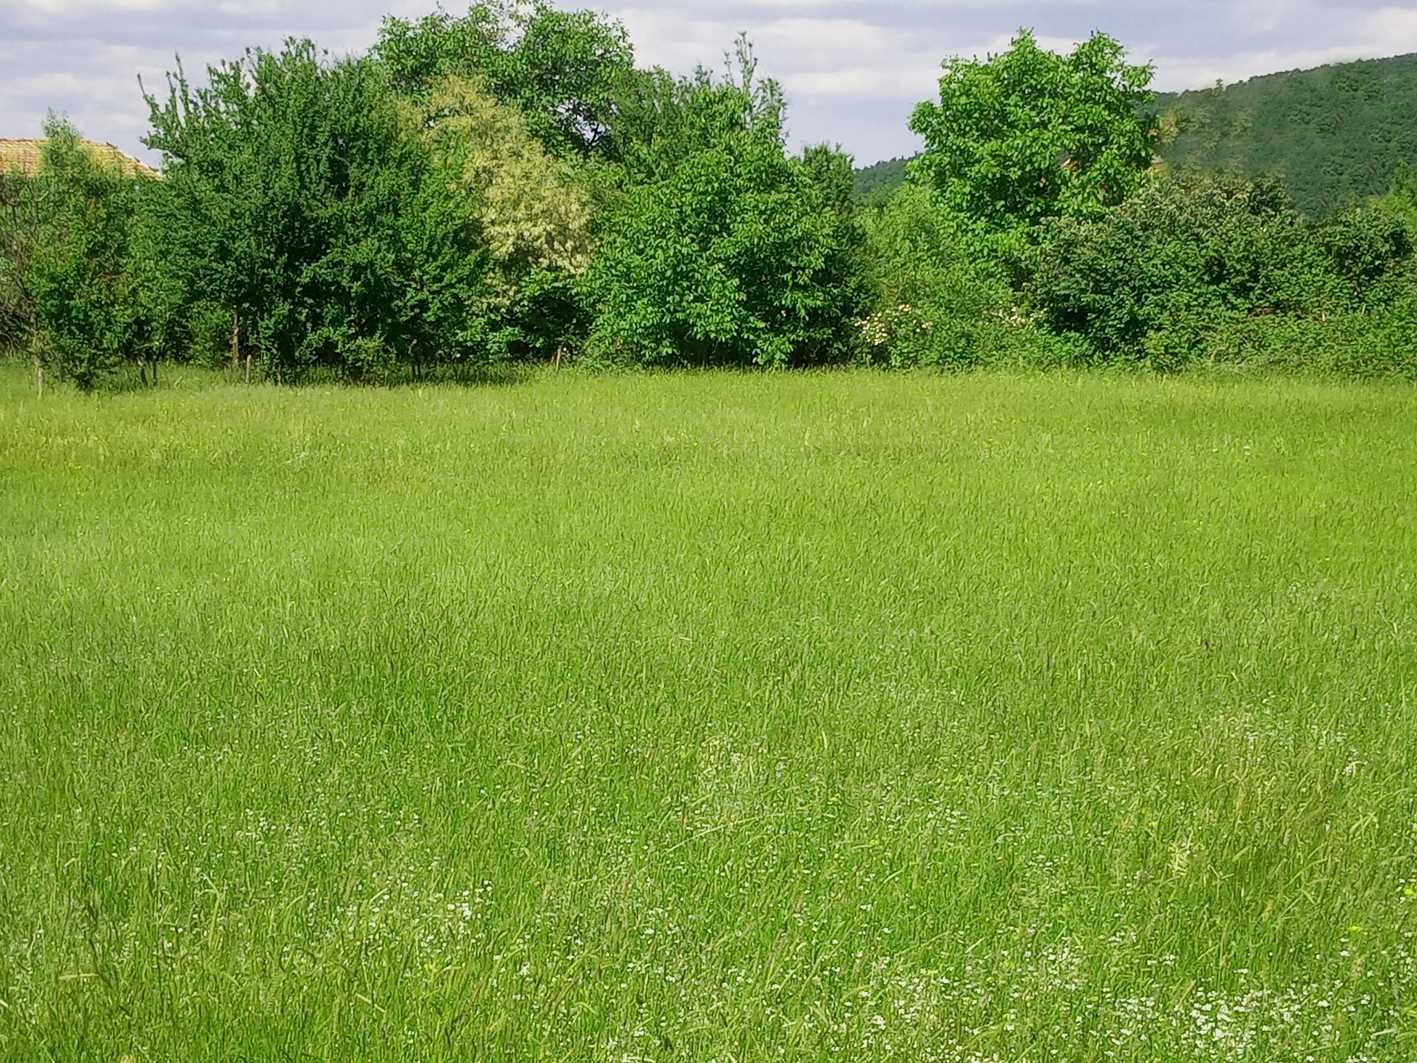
{"type": "Point", "coordinates": [723, 250]}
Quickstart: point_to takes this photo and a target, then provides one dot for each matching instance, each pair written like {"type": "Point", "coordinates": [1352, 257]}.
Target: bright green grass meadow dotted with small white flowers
{"type": "Point", "coordinates": [711, 718]}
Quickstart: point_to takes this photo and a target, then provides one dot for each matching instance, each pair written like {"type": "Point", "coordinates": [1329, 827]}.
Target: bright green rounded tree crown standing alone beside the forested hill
{"type": "Point", "coordinates": [1031, 135]}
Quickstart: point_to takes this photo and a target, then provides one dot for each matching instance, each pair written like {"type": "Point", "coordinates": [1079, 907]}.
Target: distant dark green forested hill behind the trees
{"type": "Point", "coordinates": [1336, 134]}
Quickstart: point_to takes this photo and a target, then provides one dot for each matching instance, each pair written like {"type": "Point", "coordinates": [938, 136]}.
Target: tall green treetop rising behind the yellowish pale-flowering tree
{"type": "Point", "coordinates": [563, 70]}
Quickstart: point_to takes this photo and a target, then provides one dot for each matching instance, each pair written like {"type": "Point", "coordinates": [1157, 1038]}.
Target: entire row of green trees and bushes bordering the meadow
{"type": "Point", "coordinates": [509, 186]}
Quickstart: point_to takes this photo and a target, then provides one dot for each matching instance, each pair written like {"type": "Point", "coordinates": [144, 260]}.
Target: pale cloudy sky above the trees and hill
{"type": "Point", "coordinates": [852, 69]}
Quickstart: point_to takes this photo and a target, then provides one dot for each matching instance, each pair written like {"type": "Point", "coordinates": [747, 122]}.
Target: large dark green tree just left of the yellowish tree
{"type": "Point", "coordinates": [297, 199]}
